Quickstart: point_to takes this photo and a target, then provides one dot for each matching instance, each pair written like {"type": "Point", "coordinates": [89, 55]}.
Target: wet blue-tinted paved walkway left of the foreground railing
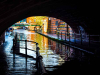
{"type": "Point", "coordinates": [10, 65]}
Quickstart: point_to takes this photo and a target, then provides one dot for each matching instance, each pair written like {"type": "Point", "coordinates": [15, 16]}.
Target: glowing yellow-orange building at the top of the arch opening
{"type": "Point", "coordinates": [37, 21]}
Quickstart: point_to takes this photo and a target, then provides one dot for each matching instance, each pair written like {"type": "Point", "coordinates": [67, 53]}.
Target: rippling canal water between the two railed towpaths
{"type": "Point", "coordinates": [54, 53]}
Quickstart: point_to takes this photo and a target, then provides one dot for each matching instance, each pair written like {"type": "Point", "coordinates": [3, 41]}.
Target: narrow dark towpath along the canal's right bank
{"type": "Point", "coordinates": [80, 43]}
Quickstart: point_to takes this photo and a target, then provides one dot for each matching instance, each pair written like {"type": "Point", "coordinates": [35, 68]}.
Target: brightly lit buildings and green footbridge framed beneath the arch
{"type": "Point", "coordinates": [45, 24]}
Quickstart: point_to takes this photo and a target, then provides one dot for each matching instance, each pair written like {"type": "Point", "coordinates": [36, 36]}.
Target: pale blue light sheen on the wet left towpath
{"type": "Point", "coordinates": [16, 64]}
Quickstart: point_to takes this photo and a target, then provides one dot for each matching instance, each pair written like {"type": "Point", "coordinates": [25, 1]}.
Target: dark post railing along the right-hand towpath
{"type": "Point", "coordinates": [81, 39]}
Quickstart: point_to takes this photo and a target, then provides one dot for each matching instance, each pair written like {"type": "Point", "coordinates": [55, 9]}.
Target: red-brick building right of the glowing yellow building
{"type": "Point", "coordinates": [58, 25]}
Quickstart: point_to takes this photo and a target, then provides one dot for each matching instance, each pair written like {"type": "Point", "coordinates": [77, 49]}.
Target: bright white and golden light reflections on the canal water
{"type": "Point", "coordinates": [46, 50]}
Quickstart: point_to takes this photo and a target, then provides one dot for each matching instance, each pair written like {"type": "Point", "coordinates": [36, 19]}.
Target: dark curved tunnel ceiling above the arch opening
{"type": "Point", "coordinates": [72, 13]}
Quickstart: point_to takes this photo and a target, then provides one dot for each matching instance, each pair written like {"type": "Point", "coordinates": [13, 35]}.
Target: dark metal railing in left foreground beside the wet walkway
{"type": "Point", "coordinates": [39, 63]}
